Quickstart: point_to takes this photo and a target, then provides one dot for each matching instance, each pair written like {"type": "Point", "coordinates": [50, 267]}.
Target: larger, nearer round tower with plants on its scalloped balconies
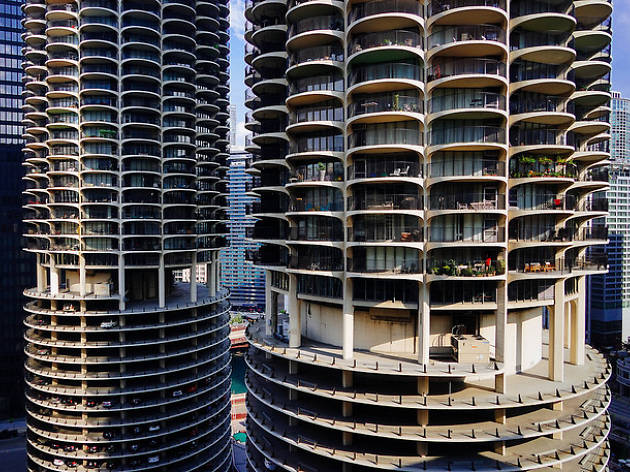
{"type": "Point", "coordinates": [428, 173]}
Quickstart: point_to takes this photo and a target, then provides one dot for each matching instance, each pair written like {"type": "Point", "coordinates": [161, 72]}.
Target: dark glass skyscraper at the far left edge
{"type": "Point", "coordinates": [15, 266]}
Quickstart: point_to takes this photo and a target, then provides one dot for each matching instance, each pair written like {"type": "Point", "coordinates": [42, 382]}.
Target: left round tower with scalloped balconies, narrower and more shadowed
{"type": "Point", "coordinates": [126, 117]}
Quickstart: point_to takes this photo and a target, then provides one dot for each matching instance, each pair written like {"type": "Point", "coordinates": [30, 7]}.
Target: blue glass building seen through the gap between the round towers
{"type": "Point", "coordinates": [245, 281]}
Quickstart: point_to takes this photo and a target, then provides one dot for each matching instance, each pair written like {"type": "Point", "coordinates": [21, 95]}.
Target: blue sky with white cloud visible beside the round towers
{"type": "Point", "coordinates": [620, 76]}
